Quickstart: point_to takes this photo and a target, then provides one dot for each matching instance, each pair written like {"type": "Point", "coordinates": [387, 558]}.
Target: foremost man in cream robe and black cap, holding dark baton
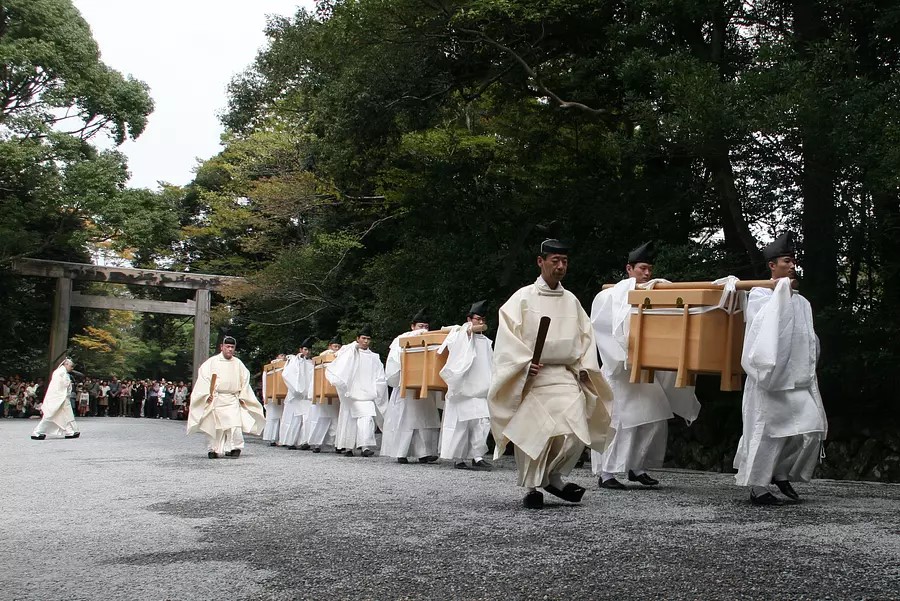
{"type": "Point", "coordinates": [549, 410]}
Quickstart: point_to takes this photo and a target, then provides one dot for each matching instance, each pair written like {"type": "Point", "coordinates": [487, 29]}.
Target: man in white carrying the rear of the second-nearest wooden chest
{"type": "Point", "coordinates": [411, 426]}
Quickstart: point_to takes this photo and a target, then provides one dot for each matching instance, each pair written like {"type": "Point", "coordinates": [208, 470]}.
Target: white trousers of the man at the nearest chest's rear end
{"type": "Point", "coordinates": [635, 449]}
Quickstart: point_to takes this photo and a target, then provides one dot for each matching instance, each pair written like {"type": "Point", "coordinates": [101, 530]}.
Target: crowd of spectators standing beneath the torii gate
{"type": "Point", "coordinates": [97, 397]}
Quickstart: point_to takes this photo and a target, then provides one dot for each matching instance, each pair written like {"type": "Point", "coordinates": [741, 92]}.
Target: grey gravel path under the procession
{"type": "Point", "coordinates": [135, 510]}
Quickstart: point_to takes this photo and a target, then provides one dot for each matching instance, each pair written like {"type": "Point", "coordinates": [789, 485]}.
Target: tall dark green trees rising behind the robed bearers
{"type": "Point", "coordinates": [447, 140]}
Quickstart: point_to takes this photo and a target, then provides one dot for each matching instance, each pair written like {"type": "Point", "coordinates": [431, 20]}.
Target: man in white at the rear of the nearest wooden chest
{"type": "Point", "coordinates": [640, 411]}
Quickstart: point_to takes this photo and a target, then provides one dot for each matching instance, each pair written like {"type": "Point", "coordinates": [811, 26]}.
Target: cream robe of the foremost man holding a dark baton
{"type": "Point", "coordinates": [529, 411]}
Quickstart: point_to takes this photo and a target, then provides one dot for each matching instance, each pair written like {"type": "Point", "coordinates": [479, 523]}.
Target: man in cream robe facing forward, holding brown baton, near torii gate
{"type": "Point", "coordinates": [223, 404]}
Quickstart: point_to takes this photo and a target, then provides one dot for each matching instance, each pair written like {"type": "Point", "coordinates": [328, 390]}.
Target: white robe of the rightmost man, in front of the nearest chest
{"type": "Point", "coordinates": [784, 419]}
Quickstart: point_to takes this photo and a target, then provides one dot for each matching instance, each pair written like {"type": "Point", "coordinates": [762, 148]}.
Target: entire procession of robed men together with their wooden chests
{"type": "Point", "coordinates": [557, 385]}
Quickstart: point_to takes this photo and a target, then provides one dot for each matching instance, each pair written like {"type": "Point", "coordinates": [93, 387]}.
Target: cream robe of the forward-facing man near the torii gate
{"type": "Point", "coordinates": [234, 404]}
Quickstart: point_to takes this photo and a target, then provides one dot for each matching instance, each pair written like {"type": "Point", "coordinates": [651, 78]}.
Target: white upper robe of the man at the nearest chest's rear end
{"type": "Point", "coordinates": [640, 403]}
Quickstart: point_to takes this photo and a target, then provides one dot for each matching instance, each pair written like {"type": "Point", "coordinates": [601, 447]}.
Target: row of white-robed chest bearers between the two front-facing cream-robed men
{"type": "Point", "coordinates": [412, 428]}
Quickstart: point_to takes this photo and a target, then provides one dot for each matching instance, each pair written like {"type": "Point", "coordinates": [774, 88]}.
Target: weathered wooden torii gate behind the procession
{"type": "Point", "coordinates": [66, 298]}
